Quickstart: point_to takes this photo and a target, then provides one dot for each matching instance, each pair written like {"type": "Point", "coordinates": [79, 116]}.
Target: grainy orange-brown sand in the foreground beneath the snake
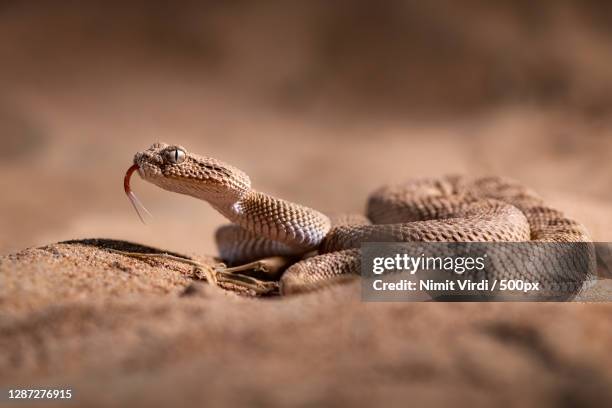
{"type": "Point", "coordinates": [118, 330]}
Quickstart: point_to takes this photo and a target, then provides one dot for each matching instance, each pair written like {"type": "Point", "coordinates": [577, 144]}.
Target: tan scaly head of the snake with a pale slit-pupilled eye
{"type": "Point", "coordinates": [175, 169]}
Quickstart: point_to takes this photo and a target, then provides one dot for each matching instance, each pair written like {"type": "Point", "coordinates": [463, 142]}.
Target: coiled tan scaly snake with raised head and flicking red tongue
{"type": "Point", "coordinates": [323, 248]}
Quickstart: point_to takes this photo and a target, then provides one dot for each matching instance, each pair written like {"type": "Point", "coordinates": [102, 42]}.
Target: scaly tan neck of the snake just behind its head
{"type": "Point", "coordinates": [279, 220]}
